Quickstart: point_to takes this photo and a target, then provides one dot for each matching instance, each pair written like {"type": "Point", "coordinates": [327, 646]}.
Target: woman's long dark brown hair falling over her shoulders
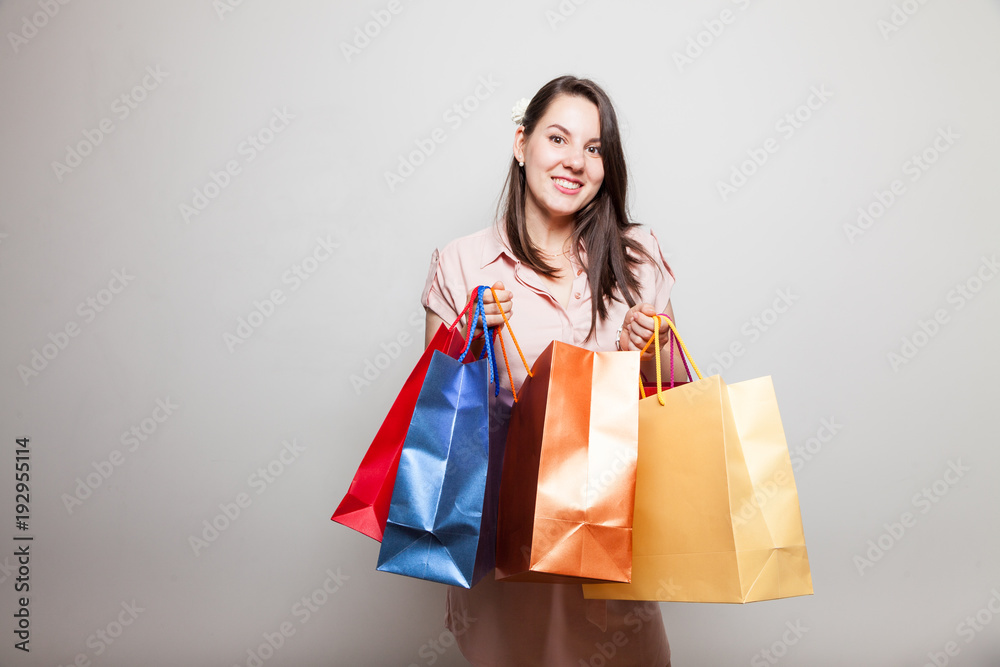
{"type": "Point", "coordinates": [601, 224]}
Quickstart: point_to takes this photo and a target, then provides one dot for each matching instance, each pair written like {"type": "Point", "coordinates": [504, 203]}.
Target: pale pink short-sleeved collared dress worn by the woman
{"type": "Point", "coordinates": [505, 624]}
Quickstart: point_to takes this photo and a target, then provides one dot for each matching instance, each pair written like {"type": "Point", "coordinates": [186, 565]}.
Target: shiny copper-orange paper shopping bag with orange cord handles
{"type": "Point", "coordinates": [568, 482]}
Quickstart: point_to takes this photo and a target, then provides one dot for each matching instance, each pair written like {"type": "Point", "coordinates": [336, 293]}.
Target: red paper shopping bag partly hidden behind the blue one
{"type": "Point", "coordinates": [365, 507]}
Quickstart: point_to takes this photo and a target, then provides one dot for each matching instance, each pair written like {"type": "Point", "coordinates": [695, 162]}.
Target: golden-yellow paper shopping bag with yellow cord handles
{"type": "Point", "coordinates": [717, 515]}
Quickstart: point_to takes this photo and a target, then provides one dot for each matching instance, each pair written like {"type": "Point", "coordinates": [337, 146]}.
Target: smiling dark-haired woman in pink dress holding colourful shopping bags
{"type": "Point", "coordinates": [566, 259]}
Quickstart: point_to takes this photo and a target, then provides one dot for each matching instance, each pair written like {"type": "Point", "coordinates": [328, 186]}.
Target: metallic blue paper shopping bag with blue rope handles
{"type": "Point", "coordinates": [442, 518]}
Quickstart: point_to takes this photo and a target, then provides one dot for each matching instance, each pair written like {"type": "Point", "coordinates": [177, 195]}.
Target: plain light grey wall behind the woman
{"type": "Point", "coordinates": [900, 426]}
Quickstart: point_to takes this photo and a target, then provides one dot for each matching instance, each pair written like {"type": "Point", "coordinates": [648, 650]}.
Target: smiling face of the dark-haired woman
{"type": "Point", "coordinates": [562, 157]}
